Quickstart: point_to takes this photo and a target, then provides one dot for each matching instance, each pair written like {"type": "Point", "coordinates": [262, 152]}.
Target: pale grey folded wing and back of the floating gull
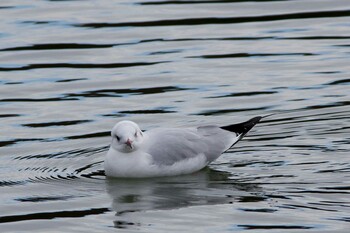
{"type": "Point", "coordinates": [168, 146]}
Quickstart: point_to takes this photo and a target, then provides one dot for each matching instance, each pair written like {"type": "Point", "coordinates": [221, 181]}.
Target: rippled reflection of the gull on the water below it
{"type": "Point", "coordinates": [202, 188]}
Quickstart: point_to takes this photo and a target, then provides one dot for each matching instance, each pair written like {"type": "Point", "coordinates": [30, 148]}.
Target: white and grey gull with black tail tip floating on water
{"type": "Point", "coordinates": [169, 151]}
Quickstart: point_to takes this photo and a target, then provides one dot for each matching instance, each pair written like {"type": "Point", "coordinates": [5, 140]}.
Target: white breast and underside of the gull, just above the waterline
{"type": "Point", "coordinates": [139, 164]}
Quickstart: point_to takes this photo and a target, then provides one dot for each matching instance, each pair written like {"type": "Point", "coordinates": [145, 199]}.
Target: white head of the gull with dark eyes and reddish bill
{"type": "Point", "coordinates": [126, 136]}
